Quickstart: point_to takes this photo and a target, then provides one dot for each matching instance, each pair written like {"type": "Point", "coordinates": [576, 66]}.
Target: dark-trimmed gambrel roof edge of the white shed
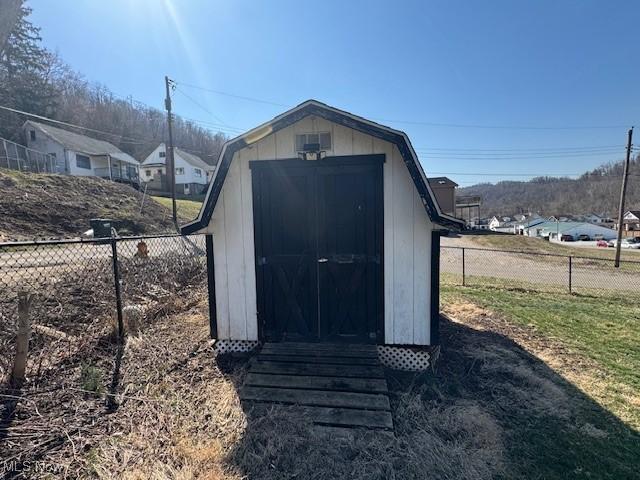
{"type": "Point", "coordinates": [319, 109]}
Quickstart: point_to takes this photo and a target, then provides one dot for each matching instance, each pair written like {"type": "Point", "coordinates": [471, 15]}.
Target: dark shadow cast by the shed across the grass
{"type": "Point", "coordinates": [489, 410]}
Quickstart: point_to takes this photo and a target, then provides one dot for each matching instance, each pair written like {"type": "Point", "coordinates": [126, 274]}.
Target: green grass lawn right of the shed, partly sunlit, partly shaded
{"type": "Point", "coordinates": [590, 440]}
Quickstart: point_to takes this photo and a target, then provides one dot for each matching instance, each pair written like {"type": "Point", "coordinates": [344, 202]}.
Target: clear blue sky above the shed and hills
{"type": "Point", "coordinates": [409, 65]}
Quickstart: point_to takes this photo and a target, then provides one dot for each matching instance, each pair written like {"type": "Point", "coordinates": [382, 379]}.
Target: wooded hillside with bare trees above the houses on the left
{"type": "Point", "coordinates": [37, 81]}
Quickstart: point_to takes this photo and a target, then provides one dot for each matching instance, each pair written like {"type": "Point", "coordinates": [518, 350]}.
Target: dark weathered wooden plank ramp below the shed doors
{"type": "Point", "coordinates": [341, 386]}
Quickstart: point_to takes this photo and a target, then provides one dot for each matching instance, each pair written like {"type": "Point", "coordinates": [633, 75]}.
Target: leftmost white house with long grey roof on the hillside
{"type": "Point", "coordinates": [80, 155]}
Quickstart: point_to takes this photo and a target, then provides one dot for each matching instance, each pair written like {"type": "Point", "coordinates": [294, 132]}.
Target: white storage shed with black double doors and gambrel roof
{"type": "Point", "coordinates": [324, 229]}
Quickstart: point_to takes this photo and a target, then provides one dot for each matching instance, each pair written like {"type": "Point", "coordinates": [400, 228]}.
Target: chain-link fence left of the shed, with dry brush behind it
{"type": "Point", "coordinates": [85, 294]}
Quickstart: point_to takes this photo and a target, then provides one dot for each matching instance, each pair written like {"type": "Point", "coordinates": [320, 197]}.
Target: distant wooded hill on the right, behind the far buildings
{"type": "Point", "coordinates": [596, 191]}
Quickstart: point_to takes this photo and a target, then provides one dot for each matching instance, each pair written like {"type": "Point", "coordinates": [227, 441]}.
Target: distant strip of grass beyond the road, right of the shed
{"type": "Point", "coordinates": [529, 244]}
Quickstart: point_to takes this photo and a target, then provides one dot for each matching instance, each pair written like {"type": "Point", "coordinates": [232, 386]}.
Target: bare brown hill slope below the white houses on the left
{"type": "Point", "coordinates": [55, 206]}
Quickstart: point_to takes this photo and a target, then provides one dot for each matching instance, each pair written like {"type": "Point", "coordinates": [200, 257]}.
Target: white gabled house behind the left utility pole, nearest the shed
{"type": "Point", "coordinates": [192, 173]}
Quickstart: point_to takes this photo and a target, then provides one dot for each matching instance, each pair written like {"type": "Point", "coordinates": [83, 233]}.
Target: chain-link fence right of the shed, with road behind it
{"type": "Point", "coordinates": [544, 272]}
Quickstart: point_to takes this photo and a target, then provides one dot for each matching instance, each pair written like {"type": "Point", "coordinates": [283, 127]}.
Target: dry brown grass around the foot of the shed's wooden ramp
{"type": "Point", "coordinates": [191, 425]}
